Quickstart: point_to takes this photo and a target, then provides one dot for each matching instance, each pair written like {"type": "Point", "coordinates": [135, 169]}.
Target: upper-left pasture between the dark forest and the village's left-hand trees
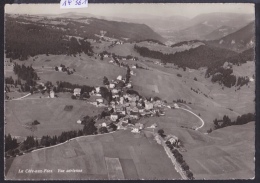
{"type": "Point", "coordinates": [89, 71]}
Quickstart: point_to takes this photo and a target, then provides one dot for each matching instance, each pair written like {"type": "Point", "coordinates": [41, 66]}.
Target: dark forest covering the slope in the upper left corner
{"type": "Point", "coordinates": [28, 40]}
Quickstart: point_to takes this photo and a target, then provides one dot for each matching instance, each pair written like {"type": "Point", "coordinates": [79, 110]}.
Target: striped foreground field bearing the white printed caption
{"type": "Point", "coordinates": [120, 155]}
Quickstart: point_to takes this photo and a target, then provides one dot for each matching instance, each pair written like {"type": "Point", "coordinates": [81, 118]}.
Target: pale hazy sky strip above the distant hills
{"type": "Point", "coordinates": [126, 10]}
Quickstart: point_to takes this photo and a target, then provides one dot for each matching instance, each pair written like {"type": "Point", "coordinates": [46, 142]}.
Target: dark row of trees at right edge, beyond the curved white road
{"type": "Point", "coordinates": [226, 121]}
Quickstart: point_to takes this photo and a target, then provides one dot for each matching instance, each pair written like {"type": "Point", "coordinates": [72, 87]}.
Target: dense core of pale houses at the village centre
{"type": "Point", "coordinates": [127, 107]}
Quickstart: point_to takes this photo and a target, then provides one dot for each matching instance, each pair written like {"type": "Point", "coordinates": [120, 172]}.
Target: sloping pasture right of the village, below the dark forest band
{"type": "Point", "coordinates": [163, 82]}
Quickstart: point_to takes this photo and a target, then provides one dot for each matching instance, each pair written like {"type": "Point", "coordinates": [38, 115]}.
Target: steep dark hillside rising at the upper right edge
{"type": "Point", "coordinates": [238, 41]}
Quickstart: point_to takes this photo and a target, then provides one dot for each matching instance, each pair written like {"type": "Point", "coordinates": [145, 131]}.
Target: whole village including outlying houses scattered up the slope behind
{"type": "Point", "coordinates": [125, 106]}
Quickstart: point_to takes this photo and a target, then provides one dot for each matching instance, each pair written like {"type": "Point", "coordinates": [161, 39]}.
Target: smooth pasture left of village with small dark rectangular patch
{"type": "Point", "coordinates": [49, 112]}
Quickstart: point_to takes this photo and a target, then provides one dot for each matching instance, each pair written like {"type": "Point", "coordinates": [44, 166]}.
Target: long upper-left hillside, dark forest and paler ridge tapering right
{"type": "Point", "coordinates": [52, 35]}
